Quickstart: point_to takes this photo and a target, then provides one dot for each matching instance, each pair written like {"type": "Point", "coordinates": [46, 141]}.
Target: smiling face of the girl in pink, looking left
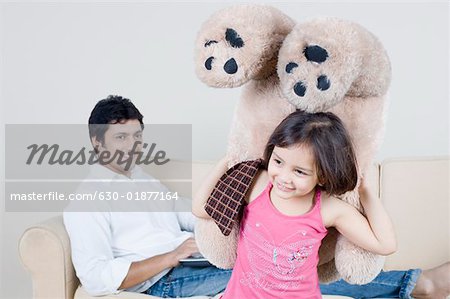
{"type": "Point", "coordinates": [292, 171]}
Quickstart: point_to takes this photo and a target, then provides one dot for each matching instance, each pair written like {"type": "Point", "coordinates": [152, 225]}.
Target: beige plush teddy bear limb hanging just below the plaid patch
{"type": "Point", "coordinates": [220, 250]}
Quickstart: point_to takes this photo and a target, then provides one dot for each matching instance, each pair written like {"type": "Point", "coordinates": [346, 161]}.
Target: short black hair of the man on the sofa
{"type": "Point", "coordinates": [112, 110]}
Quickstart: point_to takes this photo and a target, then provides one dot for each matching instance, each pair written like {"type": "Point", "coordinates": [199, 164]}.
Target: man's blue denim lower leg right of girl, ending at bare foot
{"type": "Point", "coordinates": [389, 284]}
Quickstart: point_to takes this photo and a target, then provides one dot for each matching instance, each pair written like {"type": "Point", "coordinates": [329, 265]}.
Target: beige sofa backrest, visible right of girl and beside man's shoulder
{"type": "Point", "coordinates": [414, 191]}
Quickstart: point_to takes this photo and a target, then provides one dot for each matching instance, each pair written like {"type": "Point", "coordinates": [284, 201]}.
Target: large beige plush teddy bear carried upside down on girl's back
{"type": "Point", "coordinates": [324, 64]}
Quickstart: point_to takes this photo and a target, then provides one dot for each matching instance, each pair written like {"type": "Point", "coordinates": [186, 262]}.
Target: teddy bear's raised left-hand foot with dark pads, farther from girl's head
{"type": "Point", "coordinates": [240, 43]}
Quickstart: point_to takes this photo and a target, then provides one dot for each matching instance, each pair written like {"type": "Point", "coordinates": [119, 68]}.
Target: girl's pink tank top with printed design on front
{"type": "Point", "coordinates": [277, 254]}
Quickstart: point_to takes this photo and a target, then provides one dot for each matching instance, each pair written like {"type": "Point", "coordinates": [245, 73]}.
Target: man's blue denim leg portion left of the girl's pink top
{"type": "Point", "coordinates": [191, 281]}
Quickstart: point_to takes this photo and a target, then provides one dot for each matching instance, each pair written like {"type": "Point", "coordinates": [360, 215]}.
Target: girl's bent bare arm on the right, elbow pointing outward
{"type": "Point", "coordinates": [375, 234]}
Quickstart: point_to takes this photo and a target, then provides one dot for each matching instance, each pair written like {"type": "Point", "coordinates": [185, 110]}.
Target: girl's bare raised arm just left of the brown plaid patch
{"type": "Point", "coordinates": [205, 189]}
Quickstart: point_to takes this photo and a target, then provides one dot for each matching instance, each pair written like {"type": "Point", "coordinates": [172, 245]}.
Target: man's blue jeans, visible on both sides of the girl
{"type": "Point", "coordinates": [193, 281]}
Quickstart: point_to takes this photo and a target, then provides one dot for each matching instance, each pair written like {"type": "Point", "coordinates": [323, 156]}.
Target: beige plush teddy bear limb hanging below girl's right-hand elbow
{"type": "Point", "coordinates": [356, 265]}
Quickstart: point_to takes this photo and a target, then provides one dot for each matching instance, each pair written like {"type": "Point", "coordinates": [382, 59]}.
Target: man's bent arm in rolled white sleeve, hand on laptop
{"type": "Point", "coordinates": [99, 271]}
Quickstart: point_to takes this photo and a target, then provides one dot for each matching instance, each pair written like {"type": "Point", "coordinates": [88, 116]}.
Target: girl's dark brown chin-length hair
{"type": "Point", "coordinates": [329, 142]}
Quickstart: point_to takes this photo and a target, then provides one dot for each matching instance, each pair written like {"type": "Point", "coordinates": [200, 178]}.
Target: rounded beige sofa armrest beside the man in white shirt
{"type": "Point", "coordinates": [45, 252]}
